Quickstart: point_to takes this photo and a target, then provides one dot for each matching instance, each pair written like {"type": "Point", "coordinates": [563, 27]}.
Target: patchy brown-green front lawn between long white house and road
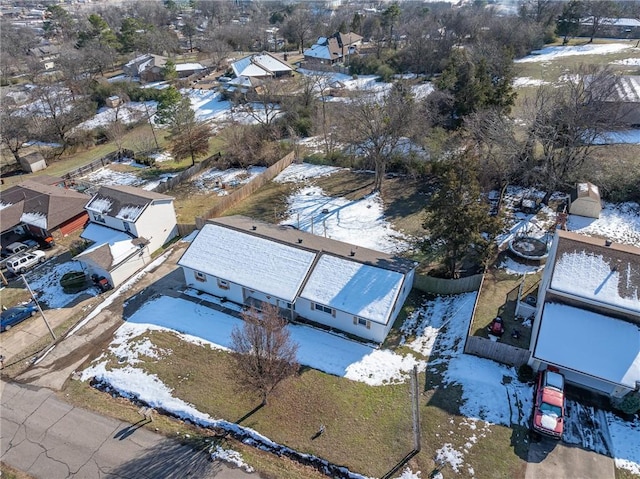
{"type": "Point", "coordinates": [368, 429]}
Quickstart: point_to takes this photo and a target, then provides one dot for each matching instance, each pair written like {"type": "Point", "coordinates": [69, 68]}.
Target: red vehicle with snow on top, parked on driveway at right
{"type": "Point", "coordinates": [548, 413]}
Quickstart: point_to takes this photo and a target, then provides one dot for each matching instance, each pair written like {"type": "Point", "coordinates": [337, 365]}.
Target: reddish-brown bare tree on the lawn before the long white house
{"type": "Point", "coordinates": [263, 351]}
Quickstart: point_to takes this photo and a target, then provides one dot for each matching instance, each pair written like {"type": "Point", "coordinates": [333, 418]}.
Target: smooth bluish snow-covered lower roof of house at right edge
{"type": "Point", "coordinates": [590, 343]}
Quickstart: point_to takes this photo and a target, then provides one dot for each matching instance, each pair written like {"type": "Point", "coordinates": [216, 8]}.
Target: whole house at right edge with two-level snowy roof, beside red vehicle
{"type": "Point", "coordinates": [588, 319]}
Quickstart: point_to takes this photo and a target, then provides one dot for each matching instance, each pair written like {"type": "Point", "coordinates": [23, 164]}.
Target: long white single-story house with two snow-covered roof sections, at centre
{"type": "Point", "coordinates": [310, 278]}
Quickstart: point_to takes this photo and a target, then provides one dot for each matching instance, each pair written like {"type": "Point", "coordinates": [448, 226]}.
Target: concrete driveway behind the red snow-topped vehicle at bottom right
{"type": "Point", "coordinates": [549, 459]}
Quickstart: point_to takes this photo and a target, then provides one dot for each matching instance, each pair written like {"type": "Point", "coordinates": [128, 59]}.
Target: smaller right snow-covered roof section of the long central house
{"type": "Point", "coordinates": [354, 288]}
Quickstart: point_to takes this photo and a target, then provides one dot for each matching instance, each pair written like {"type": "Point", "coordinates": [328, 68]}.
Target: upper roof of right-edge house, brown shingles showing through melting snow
{"type": "Point", "coordinates": [587, 268]}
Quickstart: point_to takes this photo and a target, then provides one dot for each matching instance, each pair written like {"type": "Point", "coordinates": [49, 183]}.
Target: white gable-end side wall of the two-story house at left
{"type": "Point", "coordinates": [157, 223]}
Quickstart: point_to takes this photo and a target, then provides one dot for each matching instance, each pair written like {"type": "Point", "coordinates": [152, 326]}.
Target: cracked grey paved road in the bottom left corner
{"type": "Point", "coordinates": [48, 438]}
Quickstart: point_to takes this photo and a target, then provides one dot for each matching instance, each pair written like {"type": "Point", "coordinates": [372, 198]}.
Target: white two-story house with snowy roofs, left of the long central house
{"type": "Point", "coordinates": [127, 224]}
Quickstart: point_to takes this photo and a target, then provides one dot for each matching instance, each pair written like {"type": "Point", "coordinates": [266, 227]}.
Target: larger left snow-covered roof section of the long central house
{"type": "Point", "coordinates": [257, 263]}
